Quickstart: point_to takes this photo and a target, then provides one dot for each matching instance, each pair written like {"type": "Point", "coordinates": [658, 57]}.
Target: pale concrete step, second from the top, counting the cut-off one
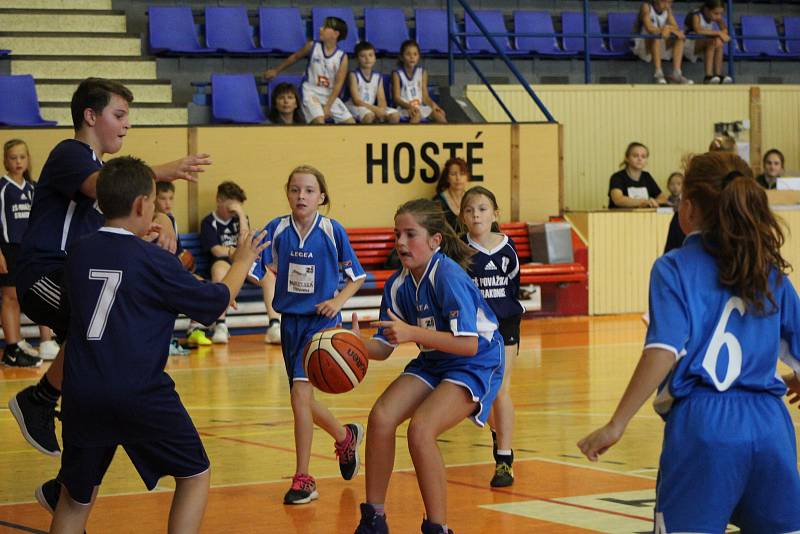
{"type": "Point", "coordinates": [51, 21]}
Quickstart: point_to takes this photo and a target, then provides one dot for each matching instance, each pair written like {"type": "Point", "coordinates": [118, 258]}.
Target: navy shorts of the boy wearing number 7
{"type": "Point", "coordinates": [180, 456]}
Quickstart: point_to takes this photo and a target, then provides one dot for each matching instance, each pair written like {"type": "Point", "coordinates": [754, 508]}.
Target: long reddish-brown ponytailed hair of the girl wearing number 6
{"type": "Point", "coordinates": [738, 226]}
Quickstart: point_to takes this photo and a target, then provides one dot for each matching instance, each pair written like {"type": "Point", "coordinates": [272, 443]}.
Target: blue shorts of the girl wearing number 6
{"type": "Point", "coordinates": [728, 457]}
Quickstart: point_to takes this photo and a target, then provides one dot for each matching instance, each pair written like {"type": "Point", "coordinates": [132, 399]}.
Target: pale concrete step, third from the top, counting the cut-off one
{"type": "Point", "coordinates": [65, 44]}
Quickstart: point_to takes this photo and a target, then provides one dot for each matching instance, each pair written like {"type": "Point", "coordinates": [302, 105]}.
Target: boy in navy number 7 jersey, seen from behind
{"type": "Point", "coordinates": [115, 389]}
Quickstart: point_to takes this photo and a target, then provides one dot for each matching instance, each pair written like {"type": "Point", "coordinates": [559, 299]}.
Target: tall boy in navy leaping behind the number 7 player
{"type": "Point", "coordinates": [64, 210]}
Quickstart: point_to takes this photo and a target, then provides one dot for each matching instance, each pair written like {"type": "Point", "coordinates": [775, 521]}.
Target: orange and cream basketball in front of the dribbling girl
{"type": "Point", "coordinates": [335, 360]}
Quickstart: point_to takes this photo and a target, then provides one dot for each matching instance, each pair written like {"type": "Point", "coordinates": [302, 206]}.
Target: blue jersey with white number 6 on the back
{"type": "Point", "coordinates": [719, 343]}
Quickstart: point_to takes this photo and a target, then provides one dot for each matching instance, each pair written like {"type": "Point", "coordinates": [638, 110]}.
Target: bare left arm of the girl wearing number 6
{"type": "Point", "coordinates": [653, 368]}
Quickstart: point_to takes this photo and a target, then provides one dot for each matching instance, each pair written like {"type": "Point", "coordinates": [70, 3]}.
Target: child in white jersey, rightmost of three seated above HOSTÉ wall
{"type": "Point", "coordinates": [410, 87]}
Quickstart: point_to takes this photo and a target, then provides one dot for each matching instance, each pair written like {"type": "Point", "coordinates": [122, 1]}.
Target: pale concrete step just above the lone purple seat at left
{"type": "Point", "coordinates": [77, 68]}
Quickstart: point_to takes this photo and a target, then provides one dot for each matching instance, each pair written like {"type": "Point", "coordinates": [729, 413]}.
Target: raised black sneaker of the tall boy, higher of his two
{"type": "Point", "coordinates": [36, 420]}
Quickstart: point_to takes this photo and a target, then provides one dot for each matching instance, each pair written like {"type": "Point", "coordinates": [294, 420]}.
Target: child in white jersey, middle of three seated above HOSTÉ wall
{"type": "Point", "coordinates": [367, 98]}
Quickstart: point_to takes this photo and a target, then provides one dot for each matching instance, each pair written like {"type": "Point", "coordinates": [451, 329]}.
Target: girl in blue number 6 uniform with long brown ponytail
{"type": "Point", "coordinates": [722, 312]}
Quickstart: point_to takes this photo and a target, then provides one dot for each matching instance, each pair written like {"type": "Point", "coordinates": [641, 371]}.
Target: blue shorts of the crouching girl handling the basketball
{"type": "Point", "coordinates": [481, 375]}
